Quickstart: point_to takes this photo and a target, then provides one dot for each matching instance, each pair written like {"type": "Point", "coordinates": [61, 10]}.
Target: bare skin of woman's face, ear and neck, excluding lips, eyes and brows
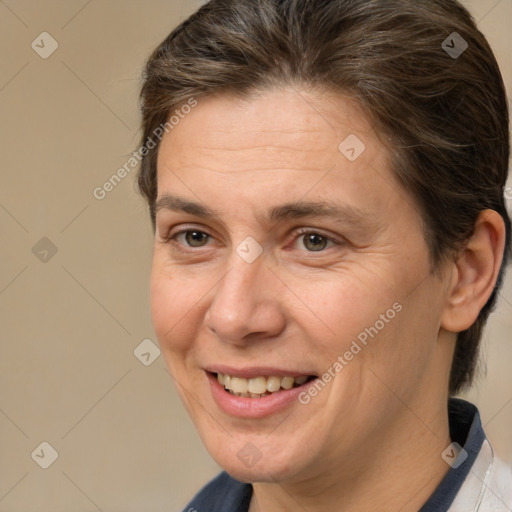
{"type": "Point", "coordinates": [372, 438]}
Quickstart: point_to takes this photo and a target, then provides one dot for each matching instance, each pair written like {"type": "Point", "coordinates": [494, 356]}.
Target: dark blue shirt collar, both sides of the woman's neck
{"type": "Point", "coordinates": [225, 494]}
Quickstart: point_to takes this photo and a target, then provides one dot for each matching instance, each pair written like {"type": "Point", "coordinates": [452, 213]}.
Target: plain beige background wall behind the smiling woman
{"type": "Point", "coordinates": [70, 325]}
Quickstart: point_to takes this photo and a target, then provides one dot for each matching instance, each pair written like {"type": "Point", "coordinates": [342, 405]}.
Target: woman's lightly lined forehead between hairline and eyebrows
{"type": "Point", "coordinates": [283, 142]}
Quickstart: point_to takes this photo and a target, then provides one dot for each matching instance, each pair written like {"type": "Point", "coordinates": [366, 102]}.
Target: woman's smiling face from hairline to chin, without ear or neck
{"type": "Point", "coordinates": [285, 248]}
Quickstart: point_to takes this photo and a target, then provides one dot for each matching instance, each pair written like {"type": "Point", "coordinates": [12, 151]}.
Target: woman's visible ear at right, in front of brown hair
{"type": "Point", "coordinates": [474, 273]}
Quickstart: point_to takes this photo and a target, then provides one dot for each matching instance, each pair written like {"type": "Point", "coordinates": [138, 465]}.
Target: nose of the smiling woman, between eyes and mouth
{"type": "Point", "coordinates": [246, 304]}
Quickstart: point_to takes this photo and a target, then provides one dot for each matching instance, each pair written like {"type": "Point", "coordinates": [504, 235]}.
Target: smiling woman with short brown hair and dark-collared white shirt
{"type": "Point", "coordinates": [325, 181]}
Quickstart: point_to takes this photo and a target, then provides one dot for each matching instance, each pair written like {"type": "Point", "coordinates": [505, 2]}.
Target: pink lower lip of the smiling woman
{"type": "Point", "coordinates": [243, 407]}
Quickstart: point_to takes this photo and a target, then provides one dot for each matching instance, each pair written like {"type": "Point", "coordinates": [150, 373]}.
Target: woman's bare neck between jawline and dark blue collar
{"type": "Point", "coordinates": [398, 472]}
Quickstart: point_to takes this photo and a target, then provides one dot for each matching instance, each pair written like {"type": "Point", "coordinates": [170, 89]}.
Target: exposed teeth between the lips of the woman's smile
{"type": "Point", "coordinates": [259, 387]}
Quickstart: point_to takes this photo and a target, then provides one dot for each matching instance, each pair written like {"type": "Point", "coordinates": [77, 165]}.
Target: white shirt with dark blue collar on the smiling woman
{"type": "Point", "coordinates": [476, 482]}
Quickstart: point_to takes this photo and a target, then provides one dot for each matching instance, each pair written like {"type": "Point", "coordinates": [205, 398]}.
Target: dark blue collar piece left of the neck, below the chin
{"type": "Point", "coordinates": [222, 494]}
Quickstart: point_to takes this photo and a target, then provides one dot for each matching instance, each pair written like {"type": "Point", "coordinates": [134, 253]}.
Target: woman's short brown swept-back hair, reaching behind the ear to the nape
{"type": "Point", "coordinates": [446, 115]}
